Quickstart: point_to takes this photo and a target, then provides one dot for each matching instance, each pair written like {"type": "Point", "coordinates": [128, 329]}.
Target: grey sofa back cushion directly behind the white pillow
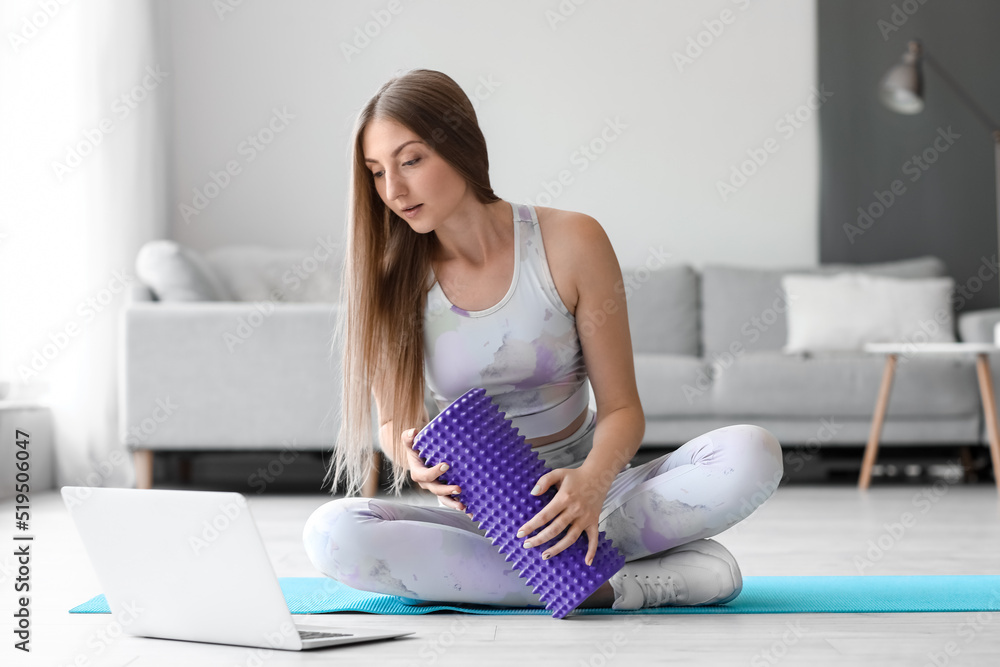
{"type": "Point", "coordinates": [745, 307]}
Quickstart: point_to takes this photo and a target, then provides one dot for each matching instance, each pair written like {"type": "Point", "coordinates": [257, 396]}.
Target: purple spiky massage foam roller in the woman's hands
{"type": "Point", "coordinates": [496, 469]}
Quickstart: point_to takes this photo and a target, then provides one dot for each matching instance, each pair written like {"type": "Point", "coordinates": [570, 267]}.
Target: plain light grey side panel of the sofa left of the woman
{"type": "Point", "coordinates": [228, 375]}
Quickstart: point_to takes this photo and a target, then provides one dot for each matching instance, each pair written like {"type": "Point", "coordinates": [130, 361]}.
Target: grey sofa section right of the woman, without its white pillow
{"type": "Point", "coordinates": [708, 352]}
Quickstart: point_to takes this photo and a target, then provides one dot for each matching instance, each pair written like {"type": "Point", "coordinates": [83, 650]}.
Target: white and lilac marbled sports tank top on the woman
{"type": "Point", "coordinates": [525, 350]}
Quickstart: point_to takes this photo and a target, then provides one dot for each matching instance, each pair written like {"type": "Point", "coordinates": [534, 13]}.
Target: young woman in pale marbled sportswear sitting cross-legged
{"type": "Point", "coordinates": [448, 287]}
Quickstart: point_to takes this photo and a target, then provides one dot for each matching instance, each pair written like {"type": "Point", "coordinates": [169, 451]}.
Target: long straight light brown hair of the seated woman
{"type": "Point", "coordinates": [387, 269]}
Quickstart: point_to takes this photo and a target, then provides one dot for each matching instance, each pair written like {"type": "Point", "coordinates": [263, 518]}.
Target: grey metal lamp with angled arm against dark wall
{"type": "Point", "coordinates": [902, 90]}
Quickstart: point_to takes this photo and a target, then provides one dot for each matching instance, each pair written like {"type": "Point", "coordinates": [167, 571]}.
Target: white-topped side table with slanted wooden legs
{"type": "Point", "coordinates": [986, 394]}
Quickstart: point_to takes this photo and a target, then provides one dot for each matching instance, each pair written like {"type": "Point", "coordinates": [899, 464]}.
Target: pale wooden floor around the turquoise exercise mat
{"type": "Point", "coordinates": [802, 530]}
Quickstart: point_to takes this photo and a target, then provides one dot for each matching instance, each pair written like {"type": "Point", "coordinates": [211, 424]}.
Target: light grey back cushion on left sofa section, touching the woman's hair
{"type": "Point", "coordinates": [260, 273]}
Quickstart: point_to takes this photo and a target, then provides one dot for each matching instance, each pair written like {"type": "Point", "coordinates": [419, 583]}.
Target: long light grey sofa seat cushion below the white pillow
{"type": "Point", "coordinates": [776, 384]}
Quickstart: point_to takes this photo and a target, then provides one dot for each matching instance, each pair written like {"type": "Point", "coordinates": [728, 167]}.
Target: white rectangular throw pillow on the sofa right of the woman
{"type": "Point", "coordinates": [844, 311]}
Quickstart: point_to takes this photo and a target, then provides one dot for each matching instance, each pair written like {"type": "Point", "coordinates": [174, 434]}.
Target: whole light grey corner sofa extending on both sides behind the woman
{"type": "Point", "coordinates": [231, 375]}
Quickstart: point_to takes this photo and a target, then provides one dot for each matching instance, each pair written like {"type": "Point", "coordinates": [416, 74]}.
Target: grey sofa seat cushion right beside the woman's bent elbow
{"type": "Point", "coordinates": [672, 385]}
